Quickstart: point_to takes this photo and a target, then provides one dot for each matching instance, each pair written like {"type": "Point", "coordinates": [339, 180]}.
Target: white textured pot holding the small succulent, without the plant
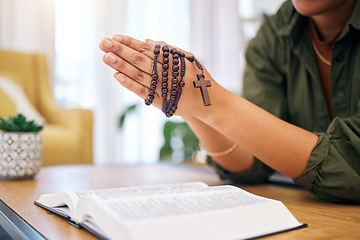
{"type": "Point", "coordinates": [20, 155]}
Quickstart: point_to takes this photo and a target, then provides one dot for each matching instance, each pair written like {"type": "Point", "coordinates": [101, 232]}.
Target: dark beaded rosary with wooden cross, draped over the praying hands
{"type": "Point", "coordinates": [169, 106]}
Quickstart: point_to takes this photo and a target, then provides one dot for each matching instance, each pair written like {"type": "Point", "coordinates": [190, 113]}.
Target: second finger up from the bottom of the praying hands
{"type": "Point", "coordinates": [120, 65]}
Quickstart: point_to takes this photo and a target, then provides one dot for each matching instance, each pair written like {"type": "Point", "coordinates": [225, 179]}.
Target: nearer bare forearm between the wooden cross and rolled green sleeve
{"type": "Point", "coordinates": [282, 146]}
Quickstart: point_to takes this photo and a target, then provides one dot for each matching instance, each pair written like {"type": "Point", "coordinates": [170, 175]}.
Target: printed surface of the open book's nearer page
{"type": "Point", "coordinates": [181, 203]}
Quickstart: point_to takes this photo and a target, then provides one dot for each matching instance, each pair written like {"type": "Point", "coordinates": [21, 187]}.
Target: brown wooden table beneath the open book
{"type": "Point", "coordinates": [325, 220]}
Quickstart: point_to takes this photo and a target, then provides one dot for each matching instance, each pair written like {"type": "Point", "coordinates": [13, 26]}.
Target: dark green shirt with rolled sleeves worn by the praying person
{"type": "Point", "coordinates": [281, 76]}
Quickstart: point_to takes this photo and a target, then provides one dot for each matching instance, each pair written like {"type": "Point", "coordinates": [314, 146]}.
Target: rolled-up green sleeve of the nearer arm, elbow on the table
{"type": "Point", "coordinates": [333, 169]}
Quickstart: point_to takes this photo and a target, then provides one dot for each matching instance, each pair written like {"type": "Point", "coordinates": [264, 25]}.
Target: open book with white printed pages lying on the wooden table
{"type": "Point", "coordinates": [172, 211]}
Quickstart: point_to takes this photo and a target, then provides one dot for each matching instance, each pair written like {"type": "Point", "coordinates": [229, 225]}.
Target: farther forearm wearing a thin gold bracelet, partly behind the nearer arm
{"type": "Point", "coordinates": [238, 160]}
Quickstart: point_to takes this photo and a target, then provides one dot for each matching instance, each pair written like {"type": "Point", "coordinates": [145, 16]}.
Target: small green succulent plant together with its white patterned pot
{"type": "Point", "coordinates": [20, 148]}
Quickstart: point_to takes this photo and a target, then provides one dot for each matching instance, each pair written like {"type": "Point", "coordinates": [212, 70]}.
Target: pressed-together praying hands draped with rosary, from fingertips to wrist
{"type": "Point", "coordinates": [152, 74]}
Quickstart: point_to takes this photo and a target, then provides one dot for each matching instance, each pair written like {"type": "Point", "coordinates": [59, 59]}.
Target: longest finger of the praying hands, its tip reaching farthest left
{"type": "Point", "coordinates": [135, 58]}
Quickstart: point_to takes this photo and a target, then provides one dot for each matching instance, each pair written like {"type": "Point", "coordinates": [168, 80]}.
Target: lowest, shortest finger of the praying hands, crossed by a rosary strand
{"type": "Point", "coordinates": [139, 89]}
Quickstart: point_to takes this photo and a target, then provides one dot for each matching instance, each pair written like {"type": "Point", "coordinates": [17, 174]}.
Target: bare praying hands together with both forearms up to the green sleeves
{"type": "Point", "coordinates": [229, 119]}
